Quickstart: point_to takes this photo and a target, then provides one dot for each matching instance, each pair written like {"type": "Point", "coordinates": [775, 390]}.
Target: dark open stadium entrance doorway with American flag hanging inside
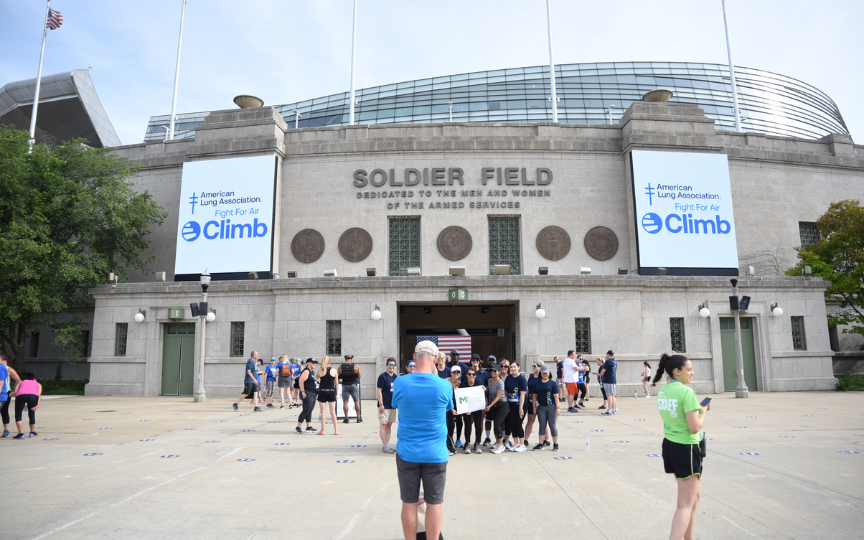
{"type": "Point", "coordinates": [484, 329]}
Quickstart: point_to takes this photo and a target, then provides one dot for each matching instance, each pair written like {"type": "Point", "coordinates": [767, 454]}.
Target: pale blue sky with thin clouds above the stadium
{"type": "Point", "coordinates": [291, 50]}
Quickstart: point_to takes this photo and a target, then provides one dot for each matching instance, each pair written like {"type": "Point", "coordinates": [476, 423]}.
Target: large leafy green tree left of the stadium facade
{"type": "Point", "coordinates": [68, 218]}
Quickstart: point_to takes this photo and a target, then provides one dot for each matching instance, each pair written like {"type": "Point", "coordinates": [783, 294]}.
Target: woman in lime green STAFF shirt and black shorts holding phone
{"type": "Point", "coordinates": [683, 419]}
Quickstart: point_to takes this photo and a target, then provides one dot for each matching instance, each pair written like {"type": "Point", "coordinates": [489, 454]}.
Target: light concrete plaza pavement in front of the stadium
{"type": "Point", "coordinates": [780, 465]}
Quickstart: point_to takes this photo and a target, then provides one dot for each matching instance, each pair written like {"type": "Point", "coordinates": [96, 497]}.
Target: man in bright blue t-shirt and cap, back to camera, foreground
{"type": "Point", "coordinates": [421, 454]}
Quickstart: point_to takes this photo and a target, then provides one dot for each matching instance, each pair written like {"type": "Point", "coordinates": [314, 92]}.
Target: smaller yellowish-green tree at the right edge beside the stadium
{"type": "Point", "coordinates": [838, 257]}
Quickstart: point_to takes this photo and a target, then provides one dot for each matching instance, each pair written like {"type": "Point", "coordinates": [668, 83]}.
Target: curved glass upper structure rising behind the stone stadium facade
{"type": "Point", "coordinates": [770, 103]}
